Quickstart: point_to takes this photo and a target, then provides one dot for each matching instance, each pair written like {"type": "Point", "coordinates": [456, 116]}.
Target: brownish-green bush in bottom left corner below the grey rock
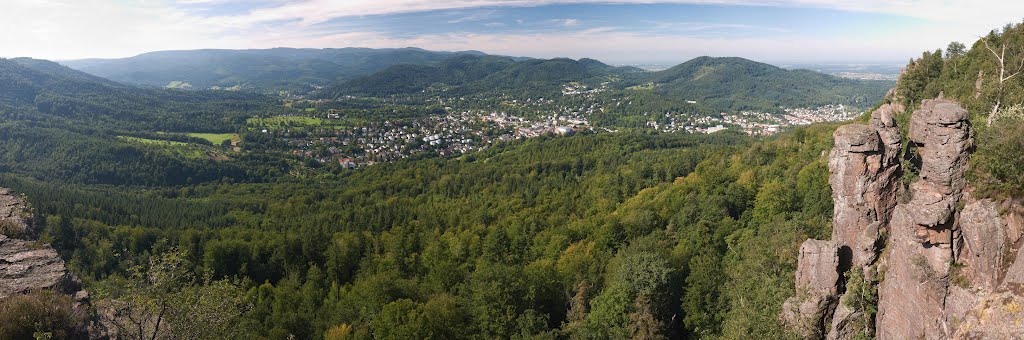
{"type": "Point", "coordinates": [44, 313]}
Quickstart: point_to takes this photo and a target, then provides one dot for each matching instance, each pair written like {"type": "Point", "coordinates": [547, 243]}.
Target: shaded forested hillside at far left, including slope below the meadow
{"type": "Point", "coordinates": [64, 125]}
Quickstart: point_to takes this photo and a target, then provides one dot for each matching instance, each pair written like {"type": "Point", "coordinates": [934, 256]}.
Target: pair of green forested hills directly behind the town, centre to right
{"type": "Point", "coordinates": [717, 84]}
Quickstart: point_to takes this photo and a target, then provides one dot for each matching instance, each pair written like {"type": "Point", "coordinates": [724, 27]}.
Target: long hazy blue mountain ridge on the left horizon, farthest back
{"type": "Point", "coordinates": [258, 70]}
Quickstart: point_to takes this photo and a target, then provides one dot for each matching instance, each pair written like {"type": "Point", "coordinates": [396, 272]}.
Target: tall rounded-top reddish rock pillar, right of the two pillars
{"type": "Point", "coordinates": [924, 232]}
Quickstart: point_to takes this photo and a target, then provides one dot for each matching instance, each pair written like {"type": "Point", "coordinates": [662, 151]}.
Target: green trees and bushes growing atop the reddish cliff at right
{"type": "Point", "coordinates": [990, 93]}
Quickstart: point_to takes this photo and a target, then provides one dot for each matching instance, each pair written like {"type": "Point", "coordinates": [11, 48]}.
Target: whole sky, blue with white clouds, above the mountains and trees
{"type": "Point", "coordinates": [622, 32]}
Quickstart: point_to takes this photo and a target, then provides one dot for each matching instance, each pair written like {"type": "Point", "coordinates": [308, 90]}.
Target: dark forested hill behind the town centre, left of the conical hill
{"type": "Point", "coordinates": [475, 74]}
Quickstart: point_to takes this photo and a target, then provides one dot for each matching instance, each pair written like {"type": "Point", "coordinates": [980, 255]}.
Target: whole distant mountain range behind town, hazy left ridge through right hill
{"type": "Point", "coordinates": [718, 84]}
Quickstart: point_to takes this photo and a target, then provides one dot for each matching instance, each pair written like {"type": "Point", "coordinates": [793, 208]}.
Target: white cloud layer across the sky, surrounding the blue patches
{"type": "Point", "coordinates": [73, 29]}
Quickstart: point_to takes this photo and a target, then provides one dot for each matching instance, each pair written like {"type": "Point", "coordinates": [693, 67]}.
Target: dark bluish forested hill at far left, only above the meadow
{"type": "Point", "coordinates": [41, 91]}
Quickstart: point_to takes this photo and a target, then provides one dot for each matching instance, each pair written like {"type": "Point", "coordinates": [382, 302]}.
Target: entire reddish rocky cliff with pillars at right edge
{"type": "Point", "coordinates": [945, 264]}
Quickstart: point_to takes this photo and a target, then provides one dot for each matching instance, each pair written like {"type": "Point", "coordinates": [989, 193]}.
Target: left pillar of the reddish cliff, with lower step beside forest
{"type": "Point", "coordinates": [865, 163]}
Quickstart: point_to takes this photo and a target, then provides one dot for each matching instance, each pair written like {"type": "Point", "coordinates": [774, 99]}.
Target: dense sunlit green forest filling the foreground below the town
{"type": "Point", "coordinates": [591, 236]}
